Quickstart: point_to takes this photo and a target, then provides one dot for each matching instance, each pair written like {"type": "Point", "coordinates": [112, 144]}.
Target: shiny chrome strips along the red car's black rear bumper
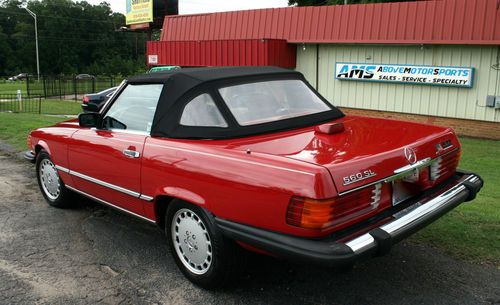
{"type": "Point", "coordinates": [366, 241]}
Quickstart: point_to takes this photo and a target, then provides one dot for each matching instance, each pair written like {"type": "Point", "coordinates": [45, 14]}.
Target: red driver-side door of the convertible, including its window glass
{"type": "Point", "coordinates": [106, 162]}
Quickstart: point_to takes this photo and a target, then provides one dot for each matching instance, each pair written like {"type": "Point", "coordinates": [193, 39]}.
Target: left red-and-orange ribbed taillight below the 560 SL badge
{"type": "Point", "coordinates": [319, 214]}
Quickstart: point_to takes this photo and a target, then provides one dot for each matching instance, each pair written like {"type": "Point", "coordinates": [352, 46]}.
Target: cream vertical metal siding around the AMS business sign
{"type": "Point", "coordinates": [418, 99]}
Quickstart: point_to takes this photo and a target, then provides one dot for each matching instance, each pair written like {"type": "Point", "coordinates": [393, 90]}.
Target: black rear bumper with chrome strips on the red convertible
{"type": "Point", "coordinates": [331, 252]}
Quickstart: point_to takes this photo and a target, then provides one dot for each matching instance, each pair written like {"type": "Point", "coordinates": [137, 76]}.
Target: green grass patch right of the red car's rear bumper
{"type": "Point", "coordinates": [472, 231]}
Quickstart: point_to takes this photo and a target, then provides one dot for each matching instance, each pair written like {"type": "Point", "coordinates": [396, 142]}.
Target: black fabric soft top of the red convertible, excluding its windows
{"type": "Point", "coordinates": [182, 85]}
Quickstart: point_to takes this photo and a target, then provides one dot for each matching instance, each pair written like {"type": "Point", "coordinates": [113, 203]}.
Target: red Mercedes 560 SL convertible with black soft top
{"type": "Point", "coordinates": [230, 158]}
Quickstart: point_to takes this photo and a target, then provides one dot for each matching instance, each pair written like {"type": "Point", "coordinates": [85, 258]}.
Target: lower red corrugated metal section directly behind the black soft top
{"type": "Point", "coordinates": [256, 52]}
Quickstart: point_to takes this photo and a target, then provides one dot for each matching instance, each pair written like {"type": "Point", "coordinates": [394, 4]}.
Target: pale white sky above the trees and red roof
{"type": "Point", "coordinates": [207, 6]}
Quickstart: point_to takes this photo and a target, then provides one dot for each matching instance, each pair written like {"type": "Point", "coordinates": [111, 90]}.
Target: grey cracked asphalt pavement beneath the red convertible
{"type": "Point", "coordinates": [91, 254]}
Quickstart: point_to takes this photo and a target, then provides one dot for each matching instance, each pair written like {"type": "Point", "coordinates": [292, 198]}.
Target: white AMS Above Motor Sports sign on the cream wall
{"type": "Point", "coordinates": [406, 74]}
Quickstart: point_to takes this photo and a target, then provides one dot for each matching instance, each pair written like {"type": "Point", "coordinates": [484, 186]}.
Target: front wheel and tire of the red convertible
{"type": "Point", "coordinates": [52, 187]}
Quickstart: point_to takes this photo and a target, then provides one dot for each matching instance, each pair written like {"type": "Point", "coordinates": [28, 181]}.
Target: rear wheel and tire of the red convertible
{"type": "Point", "coordinates": [202, 253]}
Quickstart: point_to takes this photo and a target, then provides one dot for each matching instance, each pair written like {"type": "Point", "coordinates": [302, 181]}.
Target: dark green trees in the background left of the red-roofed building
{"type": "Point", "coordinates": [74, 37]}
